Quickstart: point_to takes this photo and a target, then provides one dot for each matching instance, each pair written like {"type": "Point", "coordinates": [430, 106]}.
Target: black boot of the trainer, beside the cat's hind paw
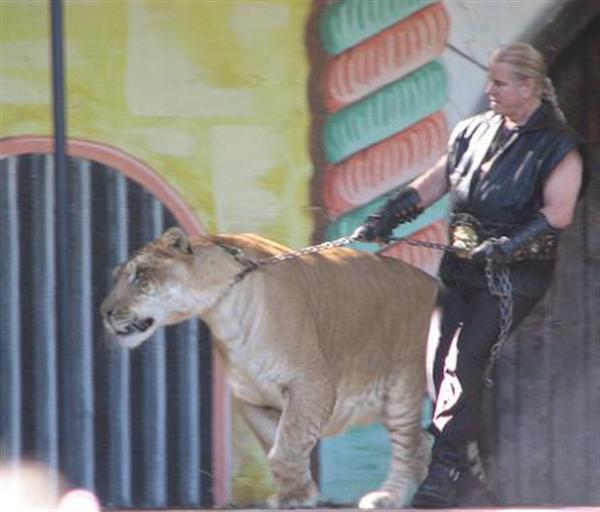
{"type": "Point", "coordinates": [443, 484]}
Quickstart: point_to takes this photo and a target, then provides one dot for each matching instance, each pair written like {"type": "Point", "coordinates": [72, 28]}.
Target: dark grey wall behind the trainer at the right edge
{"type": "Point", "coordinates": [544, 421]}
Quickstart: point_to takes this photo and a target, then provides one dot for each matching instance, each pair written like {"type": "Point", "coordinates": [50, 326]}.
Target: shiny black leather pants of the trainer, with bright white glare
{"type": "Point", "coordinates": [468, 327]}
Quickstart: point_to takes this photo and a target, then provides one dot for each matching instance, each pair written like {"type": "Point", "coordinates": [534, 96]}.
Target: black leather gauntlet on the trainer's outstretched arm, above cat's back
{"type": "Point", "coordinates": [403, 207]}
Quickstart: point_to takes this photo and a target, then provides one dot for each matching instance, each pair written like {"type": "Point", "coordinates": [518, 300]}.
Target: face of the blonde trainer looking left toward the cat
{"type": "Point", "coordinates": [508, 94]}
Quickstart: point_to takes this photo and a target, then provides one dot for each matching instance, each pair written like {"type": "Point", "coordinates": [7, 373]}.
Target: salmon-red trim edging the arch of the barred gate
{"type": "Point", "coordinates": [143, 174]}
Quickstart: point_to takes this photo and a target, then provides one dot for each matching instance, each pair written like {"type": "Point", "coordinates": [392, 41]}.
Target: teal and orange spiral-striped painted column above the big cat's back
{"type": "Point", "coordinates": [383, 91]}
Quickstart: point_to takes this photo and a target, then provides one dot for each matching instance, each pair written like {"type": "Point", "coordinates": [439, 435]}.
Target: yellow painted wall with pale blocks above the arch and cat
{"type": "Point", "coordinates": [210, 94]}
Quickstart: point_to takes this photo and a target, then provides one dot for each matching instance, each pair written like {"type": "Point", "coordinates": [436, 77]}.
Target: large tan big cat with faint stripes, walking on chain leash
{"type": "Point", "coordinates": [312, 345]}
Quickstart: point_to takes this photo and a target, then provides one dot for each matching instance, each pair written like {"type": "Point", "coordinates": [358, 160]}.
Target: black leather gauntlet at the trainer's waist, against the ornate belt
{"type": "Point", "coordinates": [505, 249]}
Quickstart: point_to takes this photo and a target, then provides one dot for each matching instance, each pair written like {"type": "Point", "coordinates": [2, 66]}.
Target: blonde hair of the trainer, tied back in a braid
{"type": "Point", "coordinates": [527, 62]}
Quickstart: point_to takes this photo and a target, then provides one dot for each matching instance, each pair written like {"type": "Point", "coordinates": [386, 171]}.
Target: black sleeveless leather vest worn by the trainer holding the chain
{"type": "Point", "coordinates": [498, 178]}
